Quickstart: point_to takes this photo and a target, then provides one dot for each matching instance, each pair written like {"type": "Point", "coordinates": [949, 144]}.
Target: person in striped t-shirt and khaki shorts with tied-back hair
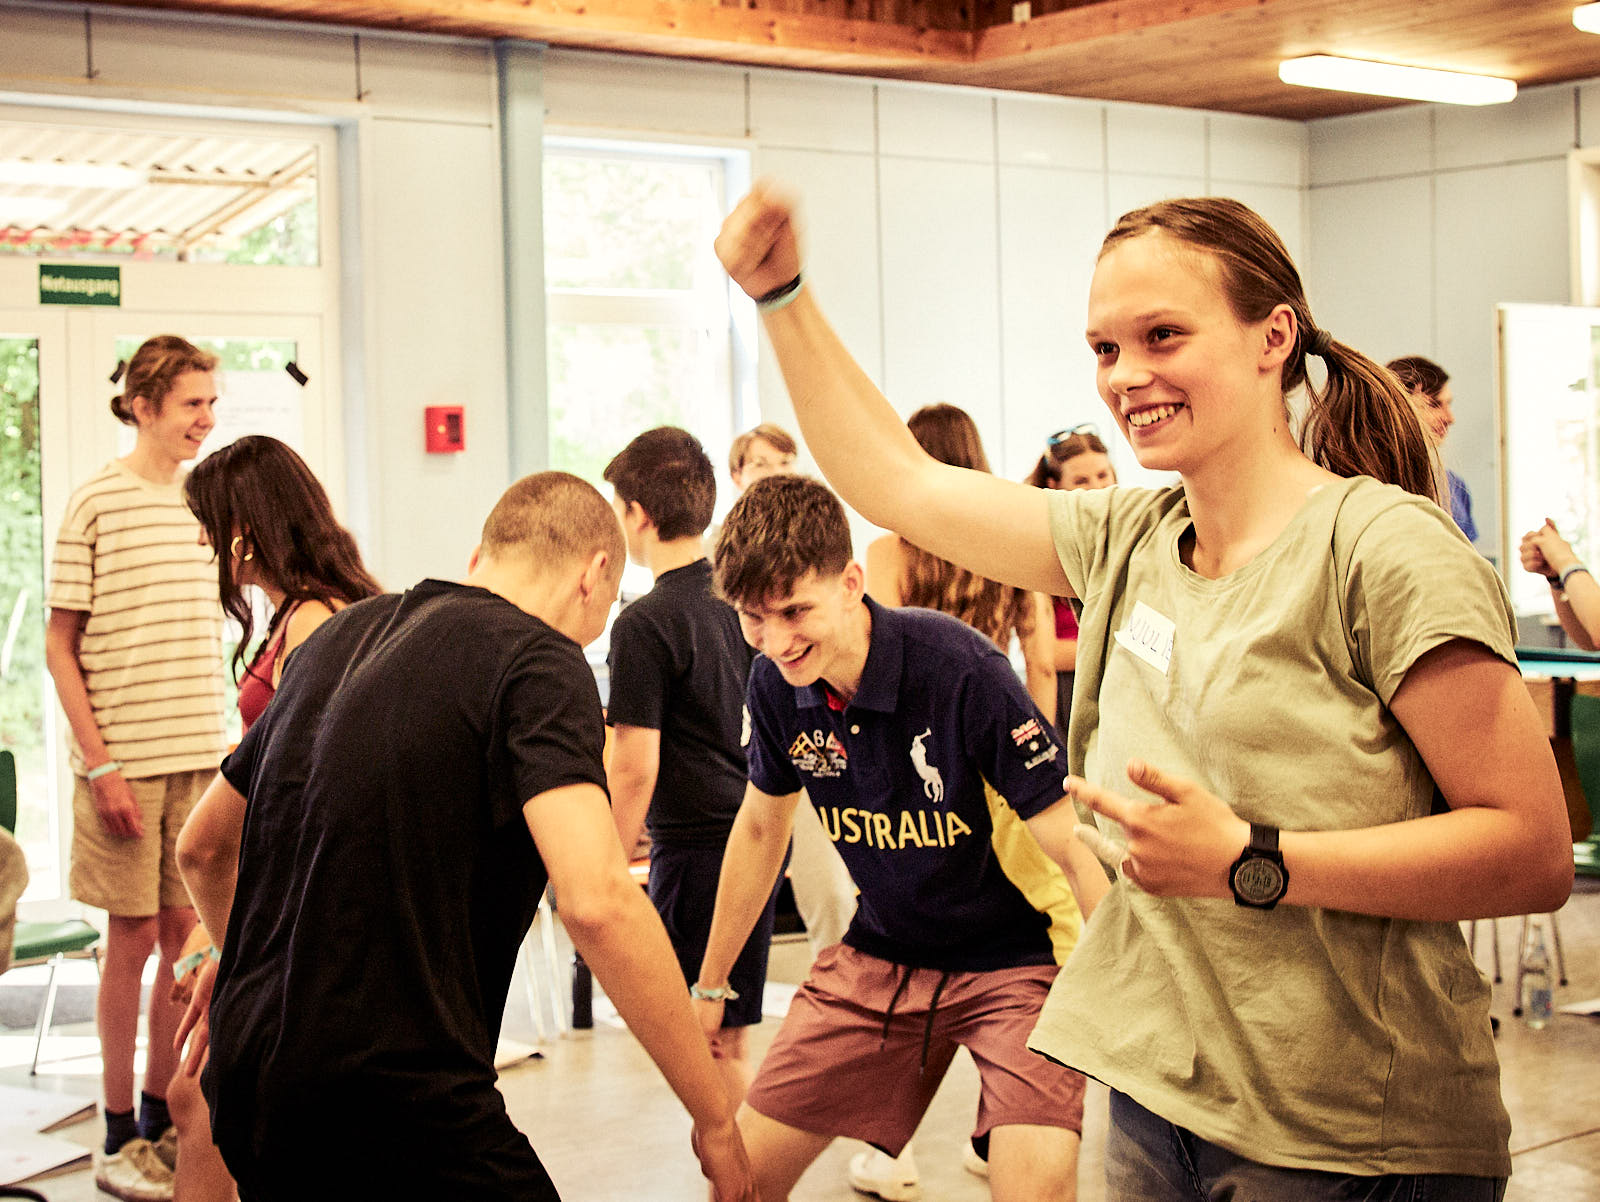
{"type": "Point", "coordinates": [135, 646]}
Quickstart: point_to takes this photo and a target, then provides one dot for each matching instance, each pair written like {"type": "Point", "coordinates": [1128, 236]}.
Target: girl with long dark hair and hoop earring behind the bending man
{"type": "Point", "coordinates": [271, 524]}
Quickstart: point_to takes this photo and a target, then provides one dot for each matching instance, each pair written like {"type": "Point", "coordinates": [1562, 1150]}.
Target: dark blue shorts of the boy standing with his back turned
{"type": "Point", "coordinates": [684, 891]}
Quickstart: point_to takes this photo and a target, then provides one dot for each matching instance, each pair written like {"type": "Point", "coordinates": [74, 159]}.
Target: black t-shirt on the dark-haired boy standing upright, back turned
{"type": "Point", "coordinates": [679, 665]}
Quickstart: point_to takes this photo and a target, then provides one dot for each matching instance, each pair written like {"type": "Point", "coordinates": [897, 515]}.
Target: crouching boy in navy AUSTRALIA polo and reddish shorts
{"type": "Point", "coordinates": [906, 727]}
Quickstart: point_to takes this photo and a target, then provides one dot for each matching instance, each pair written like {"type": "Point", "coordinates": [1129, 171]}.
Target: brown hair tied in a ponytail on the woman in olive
{"type": "Point", "coordinates": [1361, 422]}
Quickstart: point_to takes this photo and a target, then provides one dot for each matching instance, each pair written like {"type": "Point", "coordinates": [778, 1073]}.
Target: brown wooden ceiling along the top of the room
{"type": "Point", "coordinates": [1190, 54]}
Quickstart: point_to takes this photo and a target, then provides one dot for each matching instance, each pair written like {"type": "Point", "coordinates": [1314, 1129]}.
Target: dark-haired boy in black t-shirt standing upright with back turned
{"type": "Point", "coordinates": [679, 668]}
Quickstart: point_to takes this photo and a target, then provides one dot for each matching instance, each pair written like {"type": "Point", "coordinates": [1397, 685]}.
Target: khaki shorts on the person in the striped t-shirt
{"type": "Point", "coordinates": [134, 878]}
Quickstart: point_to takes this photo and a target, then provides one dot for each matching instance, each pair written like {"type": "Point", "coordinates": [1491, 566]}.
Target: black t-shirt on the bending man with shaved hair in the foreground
{"type": "Point", "coordinates": [388, 878]}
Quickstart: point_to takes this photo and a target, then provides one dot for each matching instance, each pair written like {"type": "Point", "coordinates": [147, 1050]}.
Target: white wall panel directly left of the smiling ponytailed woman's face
{"type": "Point", "coordinates": [1052, 225]}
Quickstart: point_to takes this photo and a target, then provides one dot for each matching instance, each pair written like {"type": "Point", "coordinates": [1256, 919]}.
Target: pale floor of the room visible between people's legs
{"type": "Point", "coordinates": [610, 1131]}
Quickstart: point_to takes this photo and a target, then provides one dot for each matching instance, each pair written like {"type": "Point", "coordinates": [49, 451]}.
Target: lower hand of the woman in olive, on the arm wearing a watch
{"type": "Point", "coordinates": [1182, 847]}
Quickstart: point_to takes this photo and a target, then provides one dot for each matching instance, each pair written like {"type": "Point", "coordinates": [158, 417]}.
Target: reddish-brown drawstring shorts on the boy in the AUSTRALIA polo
{"type": "Point", "coordinates": [866, 1046]}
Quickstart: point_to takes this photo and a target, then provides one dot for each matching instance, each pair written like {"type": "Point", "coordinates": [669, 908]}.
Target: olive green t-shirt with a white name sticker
{"type": "Point", "coordinates": [1300, 1038]}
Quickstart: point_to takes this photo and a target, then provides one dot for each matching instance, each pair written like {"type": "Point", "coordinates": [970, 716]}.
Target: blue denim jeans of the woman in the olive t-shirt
{"type": "Point", "coordinates": [1150, 1160]}
